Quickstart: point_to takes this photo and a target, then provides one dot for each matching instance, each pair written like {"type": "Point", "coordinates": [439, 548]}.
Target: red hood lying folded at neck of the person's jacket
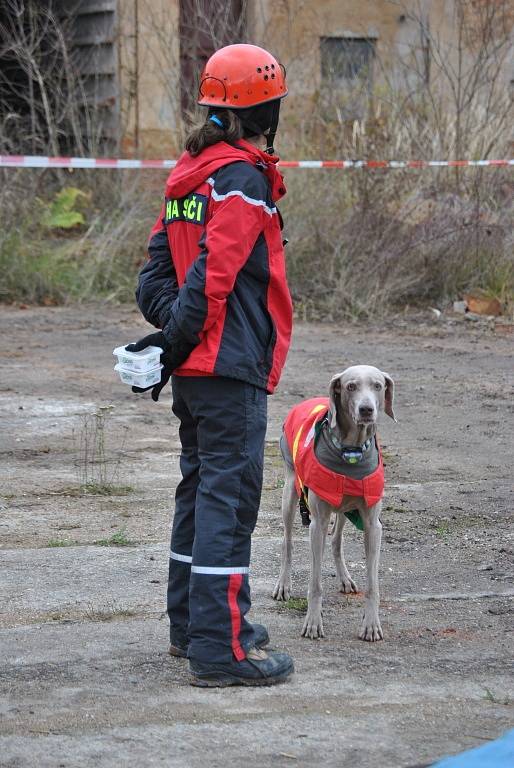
{"type": "Point", "coordinates": [190, 171]}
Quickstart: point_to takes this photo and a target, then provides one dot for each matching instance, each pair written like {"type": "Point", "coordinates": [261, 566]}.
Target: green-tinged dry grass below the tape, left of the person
{"type": "Point", "coordinates": [98, 260]}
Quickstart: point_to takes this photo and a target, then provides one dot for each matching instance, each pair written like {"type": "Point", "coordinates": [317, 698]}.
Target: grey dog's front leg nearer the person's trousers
{"type": "Point", "coordinates": [320, 518]}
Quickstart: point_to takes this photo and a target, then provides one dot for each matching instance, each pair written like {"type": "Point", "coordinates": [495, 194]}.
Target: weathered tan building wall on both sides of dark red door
{"type": "Point", "coordinates": [149, 55]}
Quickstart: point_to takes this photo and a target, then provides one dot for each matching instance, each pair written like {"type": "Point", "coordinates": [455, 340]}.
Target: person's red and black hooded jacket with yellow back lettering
{"type": "Point", "coordinates": [215, 280]}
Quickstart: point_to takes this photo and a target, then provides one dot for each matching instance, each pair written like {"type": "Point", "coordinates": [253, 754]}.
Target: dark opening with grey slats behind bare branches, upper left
{"type": "Point", "coordinates": [58, 89]}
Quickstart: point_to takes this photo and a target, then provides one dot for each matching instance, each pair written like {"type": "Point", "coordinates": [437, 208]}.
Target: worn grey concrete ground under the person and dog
{"type": "Point", "coordinates": [85, 679]}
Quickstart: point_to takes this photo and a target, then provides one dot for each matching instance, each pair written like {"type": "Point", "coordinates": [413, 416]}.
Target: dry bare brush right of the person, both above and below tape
{"type": "Point", "coordinates": [364, 241]}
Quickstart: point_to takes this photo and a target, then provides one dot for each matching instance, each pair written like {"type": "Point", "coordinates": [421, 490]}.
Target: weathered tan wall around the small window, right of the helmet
{"type": "Point", "coordinates": [292, 29]}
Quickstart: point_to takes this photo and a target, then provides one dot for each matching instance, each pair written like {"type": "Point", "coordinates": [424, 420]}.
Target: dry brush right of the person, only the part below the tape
{"type": "Point", "coordinates": [367, 241]}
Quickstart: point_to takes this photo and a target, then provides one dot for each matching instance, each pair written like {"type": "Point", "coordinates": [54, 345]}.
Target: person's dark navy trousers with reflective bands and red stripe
{"type": "Point", "coordinates": [222, 432]}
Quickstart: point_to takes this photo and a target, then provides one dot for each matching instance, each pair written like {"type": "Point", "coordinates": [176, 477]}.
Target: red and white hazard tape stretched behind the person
{"type": "Point", "coordinates": [36, 161]}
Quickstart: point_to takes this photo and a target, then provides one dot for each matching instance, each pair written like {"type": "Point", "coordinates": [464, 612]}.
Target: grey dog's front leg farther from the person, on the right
{"type": "Point", "coordinates": [370, 627]}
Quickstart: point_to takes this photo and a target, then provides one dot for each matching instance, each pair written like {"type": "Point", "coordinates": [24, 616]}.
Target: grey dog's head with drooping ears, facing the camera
{"type": "Point", "coordinates": [361, 392]}
